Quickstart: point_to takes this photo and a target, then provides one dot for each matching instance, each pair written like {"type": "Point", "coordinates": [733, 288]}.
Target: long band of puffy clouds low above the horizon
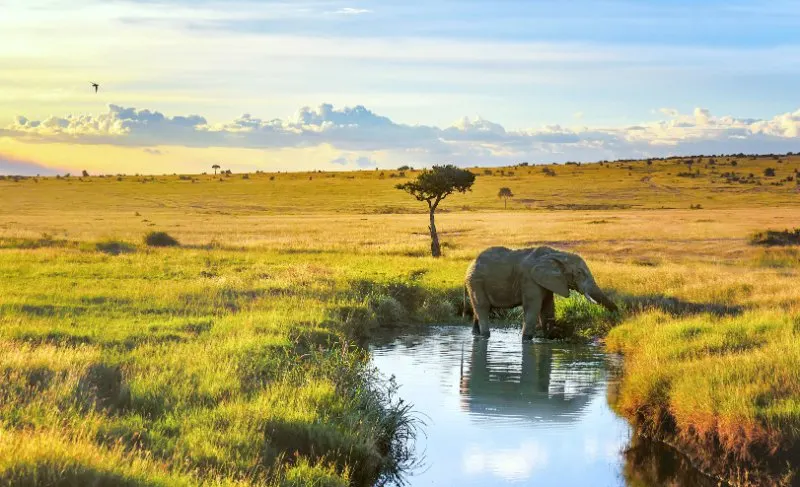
{"type": "Point", "coordinates": [359, 132]}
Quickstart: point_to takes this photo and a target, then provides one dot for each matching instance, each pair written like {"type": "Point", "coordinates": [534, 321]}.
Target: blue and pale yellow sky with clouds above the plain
{"type": "Point", "coordinates": [359, 84]}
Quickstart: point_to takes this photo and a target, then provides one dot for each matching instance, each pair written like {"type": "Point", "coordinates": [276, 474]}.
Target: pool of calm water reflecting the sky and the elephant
{"type": "Point", "coordinates": [530, 414]}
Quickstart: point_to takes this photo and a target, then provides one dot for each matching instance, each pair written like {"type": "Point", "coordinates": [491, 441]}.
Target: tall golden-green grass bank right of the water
{"type": "Point", "coordinates": [722, 389]}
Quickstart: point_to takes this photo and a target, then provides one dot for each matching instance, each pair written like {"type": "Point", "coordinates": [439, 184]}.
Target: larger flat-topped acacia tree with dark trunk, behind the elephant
{"type": "Point", "coordinates": [434, 185]}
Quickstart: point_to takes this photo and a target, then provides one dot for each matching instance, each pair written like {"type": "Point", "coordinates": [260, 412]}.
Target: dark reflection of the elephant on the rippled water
{"type": "Point", "coordinates": [544, 382]}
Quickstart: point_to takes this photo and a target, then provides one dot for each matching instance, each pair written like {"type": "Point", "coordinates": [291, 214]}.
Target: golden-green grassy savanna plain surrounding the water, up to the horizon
{"type": "Point", "coordinates": [235, 354]}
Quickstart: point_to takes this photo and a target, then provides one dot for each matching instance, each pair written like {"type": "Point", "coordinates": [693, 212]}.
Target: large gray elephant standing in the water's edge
{"type": "Point", "coordinates": [501, 278]}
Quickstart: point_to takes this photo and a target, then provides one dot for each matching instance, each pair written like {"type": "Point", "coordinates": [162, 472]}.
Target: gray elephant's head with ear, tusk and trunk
{"type": "Point", "coordinates": [561, 271]}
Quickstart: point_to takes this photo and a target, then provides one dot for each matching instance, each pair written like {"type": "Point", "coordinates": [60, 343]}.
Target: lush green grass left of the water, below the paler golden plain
{"type": "Point", "coordinates": [194, 366]}
